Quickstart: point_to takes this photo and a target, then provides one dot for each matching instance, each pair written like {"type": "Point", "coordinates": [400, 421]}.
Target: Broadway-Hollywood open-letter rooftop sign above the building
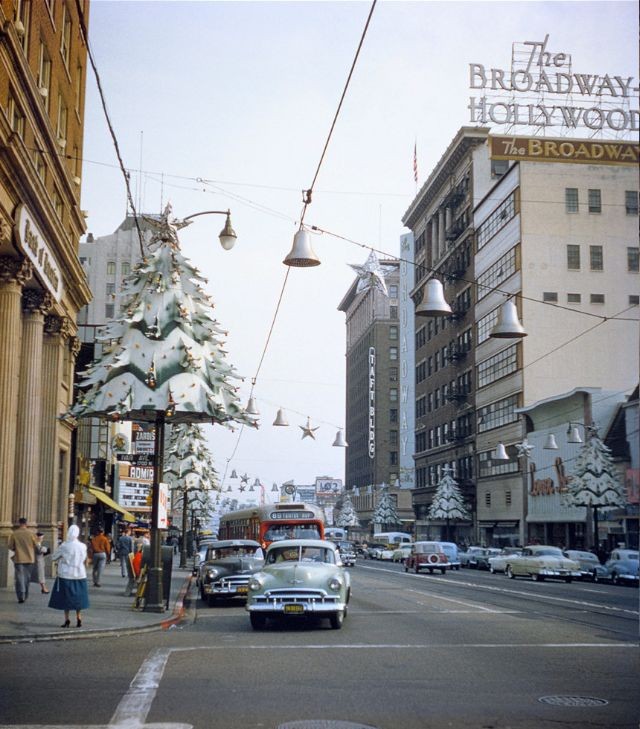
{"type": "Point", "coordinates": [604, 101]}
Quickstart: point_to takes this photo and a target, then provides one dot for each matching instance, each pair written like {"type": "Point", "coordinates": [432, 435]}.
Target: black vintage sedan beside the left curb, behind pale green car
{"type": "Point", "coordinates": [226, 568]}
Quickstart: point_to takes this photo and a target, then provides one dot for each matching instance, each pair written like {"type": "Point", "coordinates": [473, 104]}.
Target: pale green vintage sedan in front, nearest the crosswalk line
{"type": "Point", "coordinates": [301, 578]}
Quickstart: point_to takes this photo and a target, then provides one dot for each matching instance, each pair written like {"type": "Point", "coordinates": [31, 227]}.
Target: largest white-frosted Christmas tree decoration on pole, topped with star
{"type": "Point", "coordinates": [163, 361]}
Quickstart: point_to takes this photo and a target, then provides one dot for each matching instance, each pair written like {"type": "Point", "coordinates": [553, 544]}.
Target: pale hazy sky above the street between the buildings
{"type": "Point", "coordinates": [228, 105]}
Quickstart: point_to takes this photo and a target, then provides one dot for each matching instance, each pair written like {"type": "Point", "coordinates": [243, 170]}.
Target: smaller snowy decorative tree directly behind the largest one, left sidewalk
{"type": "Point", "coordinates": [189, 470]}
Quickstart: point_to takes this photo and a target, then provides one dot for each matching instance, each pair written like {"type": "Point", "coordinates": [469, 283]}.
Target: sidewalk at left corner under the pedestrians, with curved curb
{"type": "Point", "coordinates": [110, 612]}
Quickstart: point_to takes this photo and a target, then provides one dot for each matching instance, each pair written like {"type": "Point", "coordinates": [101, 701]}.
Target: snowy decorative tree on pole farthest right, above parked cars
{"type": "Point", "coordinates": [594, 481]}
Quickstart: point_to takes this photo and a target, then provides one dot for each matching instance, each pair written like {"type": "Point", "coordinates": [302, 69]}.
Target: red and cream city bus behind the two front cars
{"type": "Point", "coordinates": [273, 522]}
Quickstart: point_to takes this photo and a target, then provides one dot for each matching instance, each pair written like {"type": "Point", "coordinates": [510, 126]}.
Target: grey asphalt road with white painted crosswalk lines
{"type": "Point", "coordinates": [465, 650]}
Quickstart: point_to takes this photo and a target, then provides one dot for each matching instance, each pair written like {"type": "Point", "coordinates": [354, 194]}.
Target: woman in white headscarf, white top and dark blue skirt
{"type": "Point", "coordinates": [70, 591]}
